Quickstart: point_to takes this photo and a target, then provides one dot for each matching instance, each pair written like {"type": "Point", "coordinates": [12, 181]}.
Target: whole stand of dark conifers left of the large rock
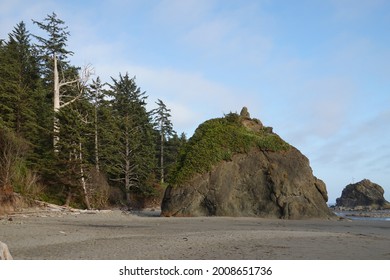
{"type": "Point", "coordinates": [69, 138]}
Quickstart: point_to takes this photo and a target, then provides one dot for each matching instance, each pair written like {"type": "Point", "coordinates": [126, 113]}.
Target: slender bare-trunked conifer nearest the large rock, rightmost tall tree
{"type": "Point", "coordinates": [164, 127]}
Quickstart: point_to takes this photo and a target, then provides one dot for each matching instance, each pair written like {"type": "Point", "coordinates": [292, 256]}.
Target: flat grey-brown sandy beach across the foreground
{"type": "Point", "coordinates": [117, 235]}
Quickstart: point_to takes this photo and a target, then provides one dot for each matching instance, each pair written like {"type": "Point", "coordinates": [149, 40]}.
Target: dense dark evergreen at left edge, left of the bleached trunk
{"type": "Point", "coordinates": [20, 91]}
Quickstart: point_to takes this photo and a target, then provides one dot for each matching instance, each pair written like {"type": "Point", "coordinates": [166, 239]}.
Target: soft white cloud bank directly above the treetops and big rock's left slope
{"type": "Point", "coordinates": [191, 97]}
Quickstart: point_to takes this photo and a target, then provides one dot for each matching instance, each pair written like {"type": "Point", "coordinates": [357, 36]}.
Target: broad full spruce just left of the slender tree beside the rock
{"type": "Point", "coordinates": [133, 162]}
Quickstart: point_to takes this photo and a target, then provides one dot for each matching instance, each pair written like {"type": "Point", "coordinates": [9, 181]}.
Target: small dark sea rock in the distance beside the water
{"type": "Point", "coordinates": [362, 194]}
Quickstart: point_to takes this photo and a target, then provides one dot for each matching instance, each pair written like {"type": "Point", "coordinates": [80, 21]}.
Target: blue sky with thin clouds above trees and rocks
{"type": "Point", "coordinates": [317, 71]}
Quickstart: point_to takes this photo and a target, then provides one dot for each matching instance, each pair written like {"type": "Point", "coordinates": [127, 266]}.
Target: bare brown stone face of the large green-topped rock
{"type": "Point", "coordinates": [263, 182]}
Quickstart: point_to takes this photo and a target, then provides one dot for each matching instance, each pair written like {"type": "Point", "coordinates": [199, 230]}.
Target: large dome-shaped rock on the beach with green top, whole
{"type": "Point", "coordinates": [235, 166]}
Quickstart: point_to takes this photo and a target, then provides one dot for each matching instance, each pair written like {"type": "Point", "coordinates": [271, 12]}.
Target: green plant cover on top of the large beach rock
{"type": "Point", "coordinates": [218, 140]}
